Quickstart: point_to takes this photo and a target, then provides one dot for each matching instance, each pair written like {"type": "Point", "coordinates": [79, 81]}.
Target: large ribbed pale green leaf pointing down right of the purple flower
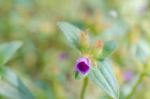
{"type": "Point", "coordinates": [103, 76]}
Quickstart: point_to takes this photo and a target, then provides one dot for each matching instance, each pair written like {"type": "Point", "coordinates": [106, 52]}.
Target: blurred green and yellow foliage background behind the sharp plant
{"type": "Point", "coordinates": [45, 62]}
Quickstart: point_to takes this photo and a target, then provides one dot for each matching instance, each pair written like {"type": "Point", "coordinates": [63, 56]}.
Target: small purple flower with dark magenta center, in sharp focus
{"type": "Point", "coordinates": [83, 66]}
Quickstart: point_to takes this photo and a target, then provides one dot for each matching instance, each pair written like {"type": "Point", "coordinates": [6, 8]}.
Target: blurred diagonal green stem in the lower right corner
{"type": "Point", "coordinates": [141, 77]}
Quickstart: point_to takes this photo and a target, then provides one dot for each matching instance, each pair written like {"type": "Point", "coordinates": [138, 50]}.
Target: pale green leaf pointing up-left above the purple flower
{"type": "Point", "coordinates": [72, 33]}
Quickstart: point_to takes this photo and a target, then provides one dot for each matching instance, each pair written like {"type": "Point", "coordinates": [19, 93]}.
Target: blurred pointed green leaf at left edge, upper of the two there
{"type": "Point", "coordinates": [7, 50]}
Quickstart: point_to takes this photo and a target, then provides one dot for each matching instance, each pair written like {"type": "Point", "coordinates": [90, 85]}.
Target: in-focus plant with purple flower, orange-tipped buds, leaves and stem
{"type": "Point", "coordinates": [92, 62]}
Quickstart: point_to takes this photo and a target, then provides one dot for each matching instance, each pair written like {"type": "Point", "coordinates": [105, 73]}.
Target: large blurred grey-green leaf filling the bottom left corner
{"type": "Point", "coordinates": [11, 86]}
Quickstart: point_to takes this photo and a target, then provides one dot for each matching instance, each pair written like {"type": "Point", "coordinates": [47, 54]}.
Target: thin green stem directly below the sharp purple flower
{"type": "Point", "coordinates": [84, 87]}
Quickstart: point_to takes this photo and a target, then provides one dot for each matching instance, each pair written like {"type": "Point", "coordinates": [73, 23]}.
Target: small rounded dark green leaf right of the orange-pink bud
{"type": "Point", "coordinates": [108, 49]}
